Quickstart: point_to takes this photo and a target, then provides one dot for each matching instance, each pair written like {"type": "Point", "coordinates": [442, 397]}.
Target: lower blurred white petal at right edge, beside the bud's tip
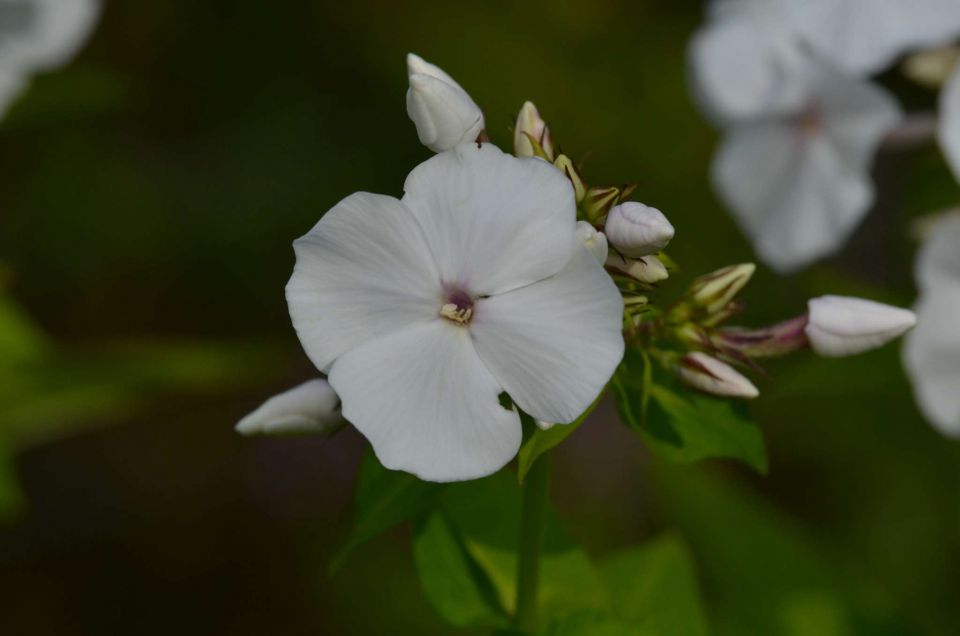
{"type": "Point", "coordinates": [932, 359]}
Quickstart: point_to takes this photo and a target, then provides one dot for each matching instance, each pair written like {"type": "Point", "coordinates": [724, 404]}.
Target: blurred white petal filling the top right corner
{"type": "Point", "coordinates": [863, 37]}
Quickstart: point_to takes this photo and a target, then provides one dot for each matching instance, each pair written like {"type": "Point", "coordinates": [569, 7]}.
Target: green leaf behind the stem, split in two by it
{"type": "Point", "coordinates": [486, 513]}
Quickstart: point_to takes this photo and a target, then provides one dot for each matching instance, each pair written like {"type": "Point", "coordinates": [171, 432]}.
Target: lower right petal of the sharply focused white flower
{"type": "Point", "coordinates": [553, 345]}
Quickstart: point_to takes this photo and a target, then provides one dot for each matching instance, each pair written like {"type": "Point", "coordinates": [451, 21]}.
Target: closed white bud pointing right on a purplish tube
{"type": "Point", "coordinates": [841, 326]}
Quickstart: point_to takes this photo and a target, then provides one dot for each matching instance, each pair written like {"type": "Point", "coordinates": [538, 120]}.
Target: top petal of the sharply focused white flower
{"type": "Point", "coordinates": [493, 222]}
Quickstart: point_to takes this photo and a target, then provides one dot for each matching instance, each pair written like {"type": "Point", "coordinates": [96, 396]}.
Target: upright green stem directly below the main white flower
{"type": "Point", "coordinates": [536, 489]}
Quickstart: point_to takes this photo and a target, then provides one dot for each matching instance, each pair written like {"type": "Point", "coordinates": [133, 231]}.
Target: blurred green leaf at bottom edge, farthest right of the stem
{"type": "Point", "coordinates": [655, 586]}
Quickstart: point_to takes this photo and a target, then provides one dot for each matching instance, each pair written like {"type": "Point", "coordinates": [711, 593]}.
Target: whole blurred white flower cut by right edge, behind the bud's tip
{"type": "Point", "coordinates": [932, 350]}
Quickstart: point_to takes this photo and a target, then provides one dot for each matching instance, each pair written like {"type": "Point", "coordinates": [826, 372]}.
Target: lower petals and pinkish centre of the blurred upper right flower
{"type": "Point", "coordinates": [799, 184]}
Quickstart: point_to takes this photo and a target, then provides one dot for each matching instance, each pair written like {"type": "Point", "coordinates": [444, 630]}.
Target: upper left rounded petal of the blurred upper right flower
{"type": "Point", "coordinates": [744, 61]}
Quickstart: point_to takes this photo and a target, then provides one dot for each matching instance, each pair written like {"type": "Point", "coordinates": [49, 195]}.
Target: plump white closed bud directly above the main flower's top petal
{"type": "Point", "coordinates": [442, 111]}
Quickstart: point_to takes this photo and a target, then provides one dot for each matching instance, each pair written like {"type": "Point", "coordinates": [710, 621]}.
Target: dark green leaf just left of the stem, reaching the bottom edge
{"type": "Point", "coordinates": [454, 583]}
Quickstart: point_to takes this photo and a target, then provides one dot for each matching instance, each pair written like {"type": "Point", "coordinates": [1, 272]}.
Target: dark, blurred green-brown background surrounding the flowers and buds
{"type": "Point", "coordinates": [149, 195]}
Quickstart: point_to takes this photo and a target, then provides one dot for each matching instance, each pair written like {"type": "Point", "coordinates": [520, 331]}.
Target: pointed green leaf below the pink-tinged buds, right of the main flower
{"type": "Point", "coordinates": [682, 425]}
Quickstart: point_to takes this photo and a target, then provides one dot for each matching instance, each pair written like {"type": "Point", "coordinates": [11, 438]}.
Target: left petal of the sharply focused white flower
{"type": "Point", "coordinates": [363, 271]}
